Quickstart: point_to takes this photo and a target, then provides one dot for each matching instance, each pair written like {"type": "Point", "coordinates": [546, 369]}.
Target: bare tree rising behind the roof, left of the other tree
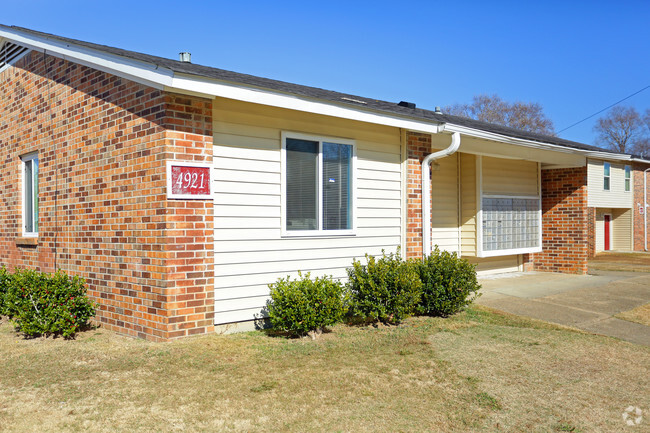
{"type": "Point", "coordinates": [492, 109]}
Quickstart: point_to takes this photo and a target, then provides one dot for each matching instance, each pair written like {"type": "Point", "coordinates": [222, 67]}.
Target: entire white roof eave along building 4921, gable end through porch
{"type": "Point", "coordinates": [166, 79]}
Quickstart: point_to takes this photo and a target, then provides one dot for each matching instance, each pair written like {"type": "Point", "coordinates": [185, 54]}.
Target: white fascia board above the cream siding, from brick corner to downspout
{"type": "Point", "coordinates": [238, 92]}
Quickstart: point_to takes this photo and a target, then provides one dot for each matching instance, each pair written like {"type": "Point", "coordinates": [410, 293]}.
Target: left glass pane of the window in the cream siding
{"type": "Point", "coordinates": [302, 184]}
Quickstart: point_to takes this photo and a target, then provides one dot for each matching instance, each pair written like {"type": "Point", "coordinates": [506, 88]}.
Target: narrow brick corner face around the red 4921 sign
{"type": "Point", "coordinates": [189, 247]}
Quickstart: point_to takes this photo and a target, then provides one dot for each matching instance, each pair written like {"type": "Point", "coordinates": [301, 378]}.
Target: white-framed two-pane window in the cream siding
{"type": "Point", "coordinates": [318, 185]}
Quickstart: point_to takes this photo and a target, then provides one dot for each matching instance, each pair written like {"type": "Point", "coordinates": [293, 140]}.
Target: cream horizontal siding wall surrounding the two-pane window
{"type": "Point", "coordinates": [249, 250]}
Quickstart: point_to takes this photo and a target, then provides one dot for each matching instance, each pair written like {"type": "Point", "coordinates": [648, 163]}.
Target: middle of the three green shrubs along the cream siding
{"type": "Point", "coordinates": [386, 289]}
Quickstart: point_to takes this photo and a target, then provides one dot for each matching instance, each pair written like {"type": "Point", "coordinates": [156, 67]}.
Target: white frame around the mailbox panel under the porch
{"type": "Point", "coordinates": [479, 214]}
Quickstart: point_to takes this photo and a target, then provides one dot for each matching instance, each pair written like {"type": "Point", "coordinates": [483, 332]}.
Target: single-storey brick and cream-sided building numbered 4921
{"type": "Point", "coordinates": [179, 192]}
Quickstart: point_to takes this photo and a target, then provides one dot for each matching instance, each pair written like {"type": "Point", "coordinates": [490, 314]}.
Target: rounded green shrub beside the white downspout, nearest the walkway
{"type": "Point", "coordinates": [448, 283]}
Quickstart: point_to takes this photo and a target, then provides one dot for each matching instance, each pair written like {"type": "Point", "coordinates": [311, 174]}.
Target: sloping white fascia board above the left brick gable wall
{"type": "Point", "coordinates": [142, 72]}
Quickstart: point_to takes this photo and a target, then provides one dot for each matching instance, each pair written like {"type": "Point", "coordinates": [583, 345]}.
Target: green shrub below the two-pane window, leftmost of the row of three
{"type": "Point", "coordinates": [304, 305]}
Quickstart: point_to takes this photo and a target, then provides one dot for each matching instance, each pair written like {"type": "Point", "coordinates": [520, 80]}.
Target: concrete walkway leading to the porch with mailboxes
{"type": "Point", "coordinates": [587, 302]}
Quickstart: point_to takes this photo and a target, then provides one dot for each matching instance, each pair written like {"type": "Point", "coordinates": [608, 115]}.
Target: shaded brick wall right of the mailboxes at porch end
{"type": "Point", "coordinates": [565, 243]}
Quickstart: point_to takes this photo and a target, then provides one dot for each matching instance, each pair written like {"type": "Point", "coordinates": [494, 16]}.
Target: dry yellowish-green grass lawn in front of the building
{"type": "Point", "coordinates": [478, 371]}
